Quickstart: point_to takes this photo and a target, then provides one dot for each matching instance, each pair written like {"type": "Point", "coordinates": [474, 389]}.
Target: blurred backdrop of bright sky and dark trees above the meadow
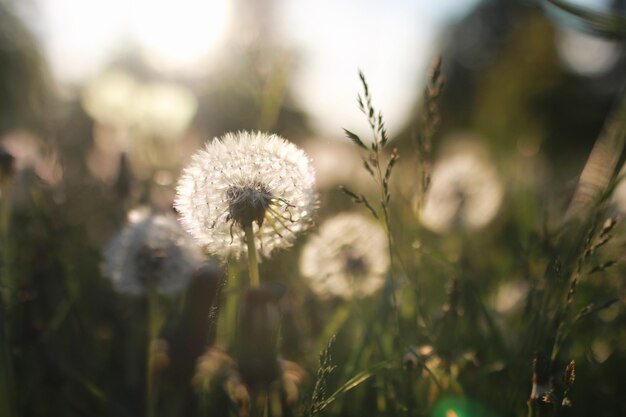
{"type": "Point", "coordinates": [524, 76]}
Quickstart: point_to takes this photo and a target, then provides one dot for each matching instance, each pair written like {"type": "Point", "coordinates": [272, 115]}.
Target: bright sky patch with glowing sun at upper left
{"type": "Point", "coordinates": [81, 36]}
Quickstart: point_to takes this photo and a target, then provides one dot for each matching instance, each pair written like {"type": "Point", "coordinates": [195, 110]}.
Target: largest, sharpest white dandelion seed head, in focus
{"type": "Point", "coordinates": [246, 178]}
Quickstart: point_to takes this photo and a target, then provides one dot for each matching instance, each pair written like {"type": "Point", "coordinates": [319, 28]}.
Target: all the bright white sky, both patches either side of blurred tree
{"type": "Point", "coordinates": [392, 42]}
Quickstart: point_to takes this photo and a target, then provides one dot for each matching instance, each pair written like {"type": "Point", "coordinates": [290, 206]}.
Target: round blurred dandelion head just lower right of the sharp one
{"type": "Point", "coordinates": [348, 257]}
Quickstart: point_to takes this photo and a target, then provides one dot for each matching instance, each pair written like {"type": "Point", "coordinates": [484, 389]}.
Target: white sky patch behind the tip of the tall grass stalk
{"type": "Point", "coordinates": [393, 42]}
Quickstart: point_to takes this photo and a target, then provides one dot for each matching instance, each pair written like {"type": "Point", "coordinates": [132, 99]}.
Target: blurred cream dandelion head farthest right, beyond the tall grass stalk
{"type": "Point", "coordinates": [464, 192]}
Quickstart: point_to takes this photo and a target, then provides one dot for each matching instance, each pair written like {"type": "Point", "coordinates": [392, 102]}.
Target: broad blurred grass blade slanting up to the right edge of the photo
{"type": "Point", "coordinates": [584, 231]}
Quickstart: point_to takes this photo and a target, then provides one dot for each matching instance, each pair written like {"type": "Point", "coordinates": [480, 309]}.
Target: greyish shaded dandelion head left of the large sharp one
{"type": "Point", "coordinates": [151, 253]}
